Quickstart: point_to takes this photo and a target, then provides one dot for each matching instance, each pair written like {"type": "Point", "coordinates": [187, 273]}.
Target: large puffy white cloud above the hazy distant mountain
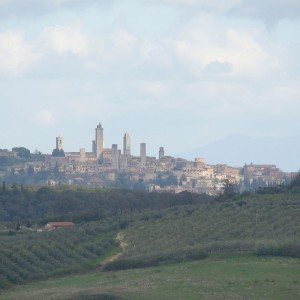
{"type": "Point", "coordinates": [206, 40]}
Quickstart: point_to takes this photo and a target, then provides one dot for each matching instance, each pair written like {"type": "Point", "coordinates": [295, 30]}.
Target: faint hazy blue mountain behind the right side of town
{"type": "Point", "coordinates": [238, 150]}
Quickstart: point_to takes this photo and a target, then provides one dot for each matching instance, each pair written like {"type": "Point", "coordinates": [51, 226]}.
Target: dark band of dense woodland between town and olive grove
{"type": "Point", "coordinates": [78, 203]}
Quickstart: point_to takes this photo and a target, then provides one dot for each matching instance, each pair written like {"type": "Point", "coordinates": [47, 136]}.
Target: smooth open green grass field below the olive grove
{"type": "Point", "coordinates": [221, 276]}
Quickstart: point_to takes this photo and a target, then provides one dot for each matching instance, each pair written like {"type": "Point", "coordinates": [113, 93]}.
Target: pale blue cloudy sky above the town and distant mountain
{"type": "Point", "coordinates": [174, 73]}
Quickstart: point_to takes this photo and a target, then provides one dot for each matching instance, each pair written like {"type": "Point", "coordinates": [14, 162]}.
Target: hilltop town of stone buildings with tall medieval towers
{"type": "Point", "coordinates": [113, 167]}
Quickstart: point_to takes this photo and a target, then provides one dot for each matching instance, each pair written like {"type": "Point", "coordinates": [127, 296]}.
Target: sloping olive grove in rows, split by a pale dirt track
{"type": "Point", "coordinates": [261, 224]}
